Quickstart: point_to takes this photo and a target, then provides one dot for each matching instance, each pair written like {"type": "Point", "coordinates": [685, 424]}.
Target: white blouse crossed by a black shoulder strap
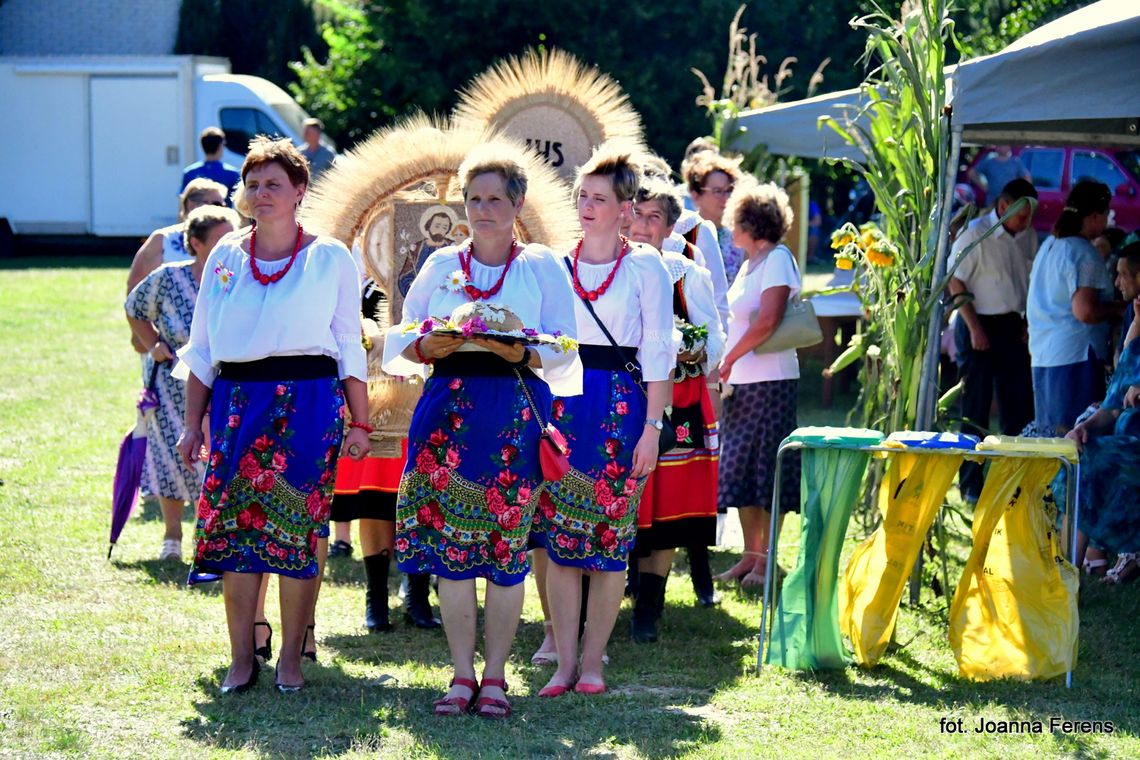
{"type": "Point", "coordinates": [637, 309]}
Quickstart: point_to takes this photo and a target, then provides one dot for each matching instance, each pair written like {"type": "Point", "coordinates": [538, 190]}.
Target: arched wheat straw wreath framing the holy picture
{"type": "Point", "coordinates": [378, 199]}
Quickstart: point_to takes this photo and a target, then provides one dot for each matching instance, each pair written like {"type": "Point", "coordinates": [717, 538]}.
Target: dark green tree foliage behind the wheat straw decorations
{"type": "Point", "coordinates": [389, 59]}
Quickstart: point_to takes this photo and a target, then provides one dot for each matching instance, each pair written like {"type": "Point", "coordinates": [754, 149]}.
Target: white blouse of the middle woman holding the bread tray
{"type": "Point", "coordinates": [536, 289]}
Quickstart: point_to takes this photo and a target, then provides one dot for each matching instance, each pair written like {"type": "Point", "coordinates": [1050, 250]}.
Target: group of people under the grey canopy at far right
{"type": "Point", "coordinates": [1033, 333]}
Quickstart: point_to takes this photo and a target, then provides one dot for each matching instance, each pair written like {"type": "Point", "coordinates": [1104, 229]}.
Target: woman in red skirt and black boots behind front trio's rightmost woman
{"type": "Point", "coordinates": [679, 505]}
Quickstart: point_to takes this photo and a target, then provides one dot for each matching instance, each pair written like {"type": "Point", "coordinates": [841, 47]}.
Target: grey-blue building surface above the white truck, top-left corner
{"type": "Point", "coordinates": [74, 28]}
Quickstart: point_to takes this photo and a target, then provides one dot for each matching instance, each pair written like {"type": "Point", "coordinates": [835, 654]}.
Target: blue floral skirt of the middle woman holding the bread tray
{"type": "Point", "coordinates": [473, 478]}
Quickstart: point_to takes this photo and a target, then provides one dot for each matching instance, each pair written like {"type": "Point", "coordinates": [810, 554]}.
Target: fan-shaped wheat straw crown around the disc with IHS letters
{"type": "Point", "coordinates": [557, 105]}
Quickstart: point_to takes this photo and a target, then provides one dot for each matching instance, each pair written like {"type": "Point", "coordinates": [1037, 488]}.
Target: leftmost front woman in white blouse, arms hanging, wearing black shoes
{"type": "Point", "coordinates": [275, 350]}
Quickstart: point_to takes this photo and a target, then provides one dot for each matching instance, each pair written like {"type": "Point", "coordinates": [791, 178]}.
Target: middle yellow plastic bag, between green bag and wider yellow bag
{"type": "Point", "coordinates": [910, 496]}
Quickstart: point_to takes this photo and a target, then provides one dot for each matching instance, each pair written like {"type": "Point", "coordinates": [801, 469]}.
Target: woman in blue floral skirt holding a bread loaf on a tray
{"type": "Point", "coordinates": [471, 484]}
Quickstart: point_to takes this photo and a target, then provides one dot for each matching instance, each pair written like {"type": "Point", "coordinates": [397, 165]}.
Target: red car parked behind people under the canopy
{"type": "Point", "coordinates": [1057, 169]}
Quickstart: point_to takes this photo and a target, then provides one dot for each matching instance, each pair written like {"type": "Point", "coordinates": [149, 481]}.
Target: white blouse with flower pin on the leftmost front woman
{"type": "Point", "coordinates": [315, 309]}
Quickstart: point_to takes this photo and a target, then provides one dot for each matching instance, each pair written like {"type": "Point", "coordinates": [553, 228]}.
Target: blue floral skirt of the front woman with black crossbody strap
{"type": "Point", "coordinates": [589, 519]}
